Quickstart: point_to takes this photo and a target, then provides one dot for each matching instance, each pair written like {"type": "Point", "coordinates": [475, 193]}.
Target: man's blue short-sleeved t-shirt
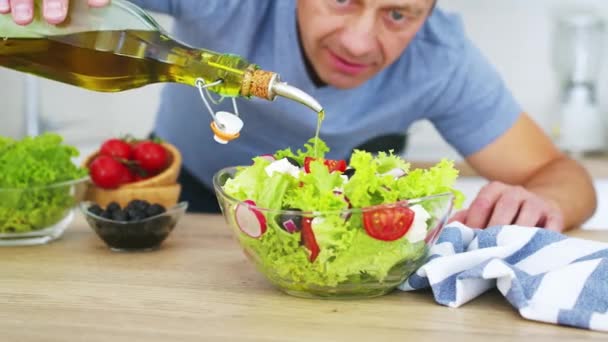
{"type": "Point", "coordinates": [440, 77]}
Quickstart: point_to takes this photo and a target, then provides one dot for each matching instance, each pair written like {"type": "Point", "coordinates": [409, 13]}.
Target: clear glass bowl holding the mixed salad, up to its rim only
{"type": "Point", "coordinates": [351, 253]}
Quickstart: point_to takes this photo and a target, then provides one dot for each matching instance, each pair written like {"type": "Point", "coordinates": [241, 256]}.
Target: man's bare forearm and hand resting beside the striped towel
{"type": "Point", "coordinates": [532, 184]}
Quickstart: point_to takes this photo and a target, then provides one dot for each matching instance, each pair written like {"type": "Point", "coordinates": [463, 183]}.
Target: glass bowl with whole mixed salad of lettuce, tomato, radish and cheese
{"type": "Point", "coordinates": [323, 228]}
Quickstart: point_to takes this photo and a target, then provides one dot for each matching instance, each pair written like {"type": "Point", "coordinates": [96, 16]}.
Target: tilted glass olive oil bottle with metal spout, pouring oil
{"type": "Point", "coordinates": [120, 47]}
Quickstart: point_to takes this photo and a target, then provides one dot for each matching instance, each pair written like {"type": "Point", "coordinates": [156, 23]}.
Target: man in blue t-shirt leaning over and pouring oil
{"type": "Point", "coordinates": [376, 66]}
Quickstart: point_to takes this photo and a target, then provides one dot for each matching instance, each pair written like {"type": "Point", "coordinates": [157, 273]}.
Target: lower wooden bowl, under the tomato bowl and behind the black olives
{"type": "Point", "coordinates": [167, 195]}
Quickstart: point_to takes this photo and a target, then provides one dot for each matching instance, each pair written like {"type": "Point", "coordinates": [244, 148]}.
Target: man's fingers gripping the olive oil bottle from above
{"type": "Point", "coordinates": [54, 11]}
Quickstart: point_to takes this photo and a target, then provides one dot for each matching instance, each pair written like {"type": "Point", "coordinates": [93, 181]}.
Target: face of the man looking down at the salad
{"type": "Point", "coordinates": [348, 41]}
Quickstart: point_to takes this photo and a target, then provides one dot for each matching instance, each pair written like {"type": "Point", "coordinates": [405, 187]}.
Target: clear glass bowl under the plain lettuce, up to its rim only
{"type": "Point", "coordinates": [40, 214]}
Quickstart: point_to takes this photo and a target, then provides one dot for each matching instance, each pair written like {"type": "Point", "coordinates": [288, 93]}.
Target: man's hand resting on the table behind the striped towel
{"type": "Point", "coordinates": [498, 204]}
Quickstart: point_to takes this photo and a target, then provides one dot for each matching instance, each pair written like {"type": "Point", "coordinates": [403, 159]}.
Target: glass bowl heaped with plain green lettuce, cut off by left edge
{"type": "Point", "coordinates": [39, 187]}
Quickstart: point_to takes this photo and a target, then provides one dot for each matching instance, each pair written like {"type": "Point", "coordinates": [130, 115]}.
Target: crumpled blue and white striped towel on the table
{"type": "Point", "coordinates": [547, 276]}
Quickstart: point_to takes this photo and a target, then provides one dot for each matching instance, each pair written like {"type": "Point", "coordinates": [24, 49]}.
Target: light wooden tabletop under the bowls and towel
{"type": "Point", "coordinates": [200, 287]}
